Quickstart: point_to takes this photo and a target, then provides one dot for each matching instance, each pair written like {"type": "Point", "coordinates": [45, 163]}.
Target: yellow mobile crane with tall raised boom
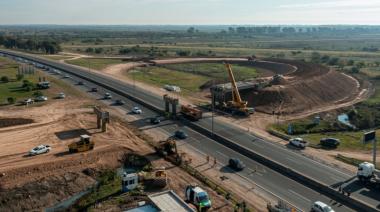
{"type": "Point", "coordinates": [236, 105]}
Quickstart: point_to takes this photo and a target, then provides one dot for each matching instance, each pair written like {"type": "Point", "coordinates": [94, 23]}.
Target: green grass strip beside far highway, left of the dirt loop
{"type": "Point", "coordinates": [95, 63]}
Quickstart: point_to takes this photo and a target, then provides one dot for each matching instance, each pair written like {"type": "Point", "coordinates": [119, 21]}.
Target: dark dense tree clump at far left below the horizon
{"type": "Point", "coordinates": [45, 46]}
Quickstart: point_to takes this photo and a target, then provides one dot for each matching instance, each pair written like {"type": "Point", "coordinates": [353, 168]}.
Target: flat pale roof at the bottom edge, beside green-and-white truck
{"type": "Point", "coordinates": [169, 201]}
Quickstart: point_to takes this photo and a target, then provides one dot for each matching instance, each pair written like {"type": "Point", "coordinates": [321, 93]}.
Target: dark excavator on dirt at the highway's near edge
{"type": "Point", "coordinates": [168, 149]}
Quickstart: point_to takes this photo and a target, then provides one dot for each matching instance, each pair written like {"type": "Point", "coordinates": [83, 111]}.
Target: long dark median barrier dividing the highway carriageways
{"type": "Point", "coordinates": [310, 182]}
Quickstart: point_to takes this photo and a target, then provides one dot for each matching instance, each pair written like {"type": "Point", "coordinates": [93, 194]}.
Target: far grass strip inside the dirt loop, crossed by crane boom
{"type": "Point", "coordinates": [215, 70]}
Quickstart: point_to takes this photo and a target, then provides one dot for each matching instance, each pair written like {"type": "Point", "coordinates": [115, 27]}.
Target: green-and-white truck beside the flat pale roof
{"type": "Point", "coordinates": [198, 197]}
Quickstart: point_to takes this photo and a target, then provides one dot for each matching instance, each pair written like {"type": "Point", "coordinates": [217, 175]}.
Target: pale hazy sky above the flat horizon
{"type": "Point", "coordinates": [189, 12]}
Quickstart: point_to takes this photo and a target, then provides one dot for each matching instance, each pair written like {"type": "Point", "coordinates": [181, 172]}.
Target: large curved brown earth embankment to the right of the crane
{"type": "Point", "coordinates": [309, 87]}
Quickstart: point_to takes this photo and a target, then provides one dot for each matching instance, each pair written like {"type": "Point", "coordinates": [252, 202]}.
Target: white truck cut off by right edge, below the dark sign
{"type": "Point", "coordinates": [368, 174]}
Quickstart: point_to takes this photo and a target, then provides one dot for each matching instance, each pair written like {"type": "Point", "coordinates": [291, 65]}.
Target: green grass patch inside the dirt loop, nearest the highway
{"type": "Point", "coordinates": [161, 76]}
